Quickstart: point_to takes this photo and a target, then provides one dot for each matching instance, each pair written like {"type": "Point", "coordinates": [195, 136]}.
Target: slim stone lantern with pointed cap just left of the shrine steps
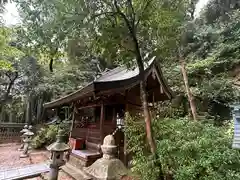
{"type": "Point", "coordinates": [57, 150]}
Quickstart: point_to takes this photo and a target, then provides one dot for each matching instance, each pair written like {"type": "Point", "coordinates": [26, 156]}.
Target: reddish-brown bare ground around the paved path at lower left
{"type": "Point", "coordinates": [9, 158]}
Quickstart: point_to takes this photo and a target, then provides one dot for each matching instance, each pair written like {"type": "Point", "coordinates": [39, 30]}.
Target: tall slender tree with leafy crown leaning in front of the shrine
{"type": "Point", "coordinates": [133, 29]}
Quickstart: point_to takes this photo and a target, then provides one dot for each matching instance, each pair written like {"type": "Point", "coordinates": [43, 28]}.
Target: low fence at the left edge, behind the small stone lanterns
{"type": "Point", "coordinates": [10, 132]}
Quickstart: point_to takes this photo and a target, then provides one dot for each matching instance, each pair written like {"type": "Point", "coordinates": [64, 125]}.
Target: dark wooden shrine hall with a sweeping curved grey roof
{"type": "Point", "coordinates": [102, 103]}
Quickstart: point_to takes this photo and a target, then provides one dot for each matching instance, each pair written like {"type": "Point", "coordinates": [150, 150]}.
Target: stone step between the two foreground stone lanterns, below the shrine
{"type": "Point", "coordinates": [75, 173]}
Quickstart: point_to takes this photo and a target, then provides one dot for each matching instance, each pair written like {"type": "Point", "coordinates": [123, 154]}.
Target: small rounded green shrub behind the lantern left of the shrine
{"type": "Point", "coordinates": [47, 135]}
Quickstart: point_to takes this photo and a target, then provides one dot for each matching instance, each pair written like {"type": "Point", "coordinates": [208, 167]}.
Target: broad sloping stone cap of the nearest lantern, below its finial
{"type": "Point", "coordinates": [107, 169]}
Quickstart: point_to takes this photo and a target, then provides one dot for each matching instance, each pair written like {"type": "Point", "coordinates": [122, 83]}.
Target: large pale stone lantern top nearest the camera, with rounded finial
{"type": "Point", "coordinates": [108, 167]}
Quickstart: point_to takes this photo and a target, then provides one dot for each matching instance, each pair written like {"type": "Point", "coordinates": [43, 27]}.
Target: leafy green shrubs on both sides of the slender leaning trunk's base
{"type": "Point", "coordinates": [188, 150]}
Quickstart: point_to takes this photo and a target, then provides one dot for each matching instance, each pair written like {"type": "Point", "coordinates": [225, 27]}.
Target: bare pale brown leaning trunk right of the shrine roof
{"type": "Point", "coordinates": [189, 93]}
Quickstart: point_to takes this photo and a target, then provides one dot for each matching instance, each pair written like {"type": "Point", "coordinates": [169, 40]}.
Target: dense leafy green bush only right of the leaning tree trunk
{"type": "Point", "coordinates": [197, 150]}
